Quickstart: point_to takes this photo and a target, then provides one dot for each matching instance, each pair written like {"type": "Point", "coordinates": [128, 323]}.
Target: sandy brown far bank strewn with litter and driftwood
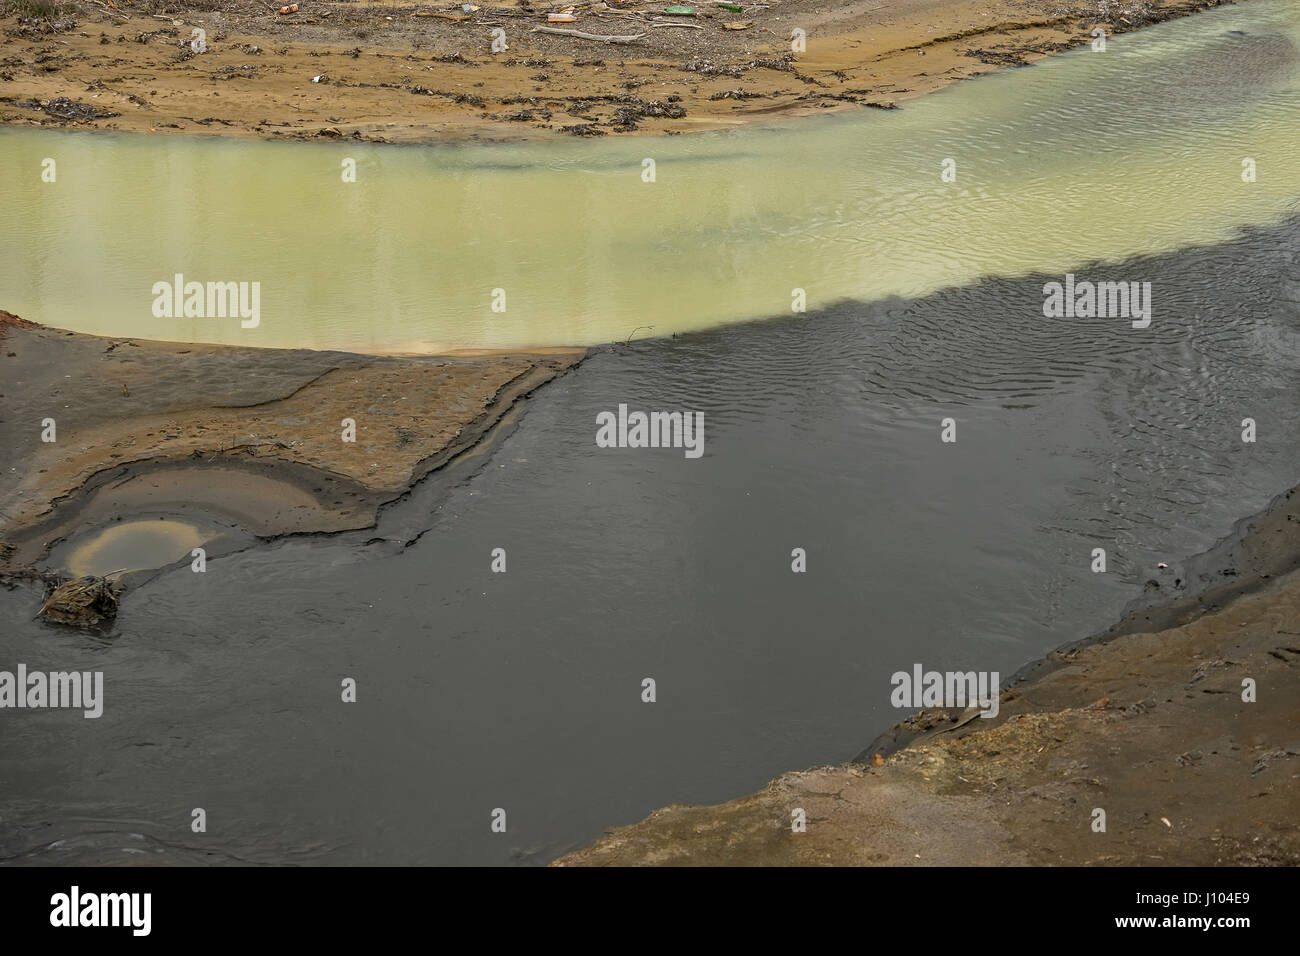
{"type": "Point", "coordinates": [424, 72]}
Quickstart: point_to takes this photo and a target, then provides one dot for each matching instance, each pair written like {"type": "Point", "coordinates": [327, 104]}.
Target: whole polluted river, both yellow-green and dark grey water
{"type": "Point", "coordinates": [822, 431]}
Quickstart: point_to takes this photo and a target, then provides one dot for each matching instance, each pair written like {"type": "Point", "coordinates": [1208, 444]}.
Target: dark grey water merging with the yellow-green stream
{"type": "Point", "coordinates": [522, 691]}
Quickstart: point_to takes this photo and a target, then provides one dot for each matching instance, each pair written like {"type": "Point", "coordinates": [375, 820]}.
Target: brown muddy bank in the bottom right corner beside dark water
{"type": "Point", "coordinates": [1146, 723]}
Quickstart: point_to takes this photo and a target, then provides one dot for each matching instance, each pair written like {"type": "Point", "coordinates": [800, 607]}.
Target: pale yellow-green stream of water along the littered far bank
{"type": "Point", "coordinates": [1086, 157]}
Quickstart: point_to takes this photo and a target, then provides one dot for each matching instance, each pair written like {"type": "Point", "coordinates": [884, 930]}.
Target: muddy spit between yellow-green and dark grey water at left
{"type": "Point", "coordinates": [252, 436]}
